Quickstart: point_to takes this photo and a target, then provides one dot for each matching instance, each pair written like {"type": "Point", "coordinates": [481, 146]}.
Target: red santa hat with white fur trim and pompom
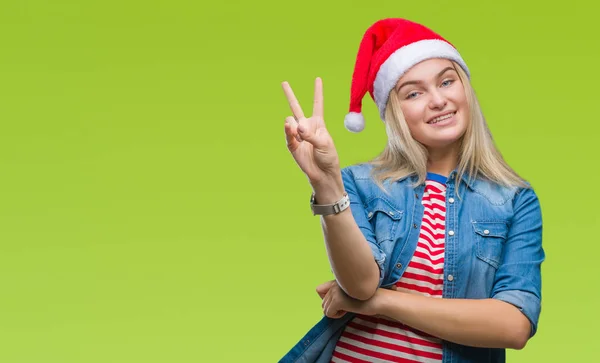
{"type": "Point", "coordinates": [389, 48]}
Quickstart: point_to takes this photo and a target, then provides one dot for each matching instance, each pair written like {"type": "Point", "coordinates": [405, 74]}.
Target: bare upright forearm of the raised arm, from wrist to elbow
{"type": "Point", "coordinates": [349, 253]}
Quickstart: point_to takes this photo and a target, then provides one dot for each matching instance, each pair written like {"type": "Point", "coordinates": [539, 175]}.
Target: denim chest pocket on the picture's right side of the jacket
{"type": "Point", "coordinates": [490, 237]}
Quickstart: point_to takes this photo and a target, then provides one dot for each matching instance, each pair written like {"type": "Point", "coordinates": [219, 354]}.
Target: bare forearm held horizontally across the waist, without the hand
{"type": "Point", "coordinates": [487, 323]}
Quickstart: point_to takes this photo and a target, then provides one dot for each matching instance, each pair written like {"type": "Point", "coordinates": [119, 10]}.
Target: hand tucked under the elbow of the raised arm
{"type": "Point", "coordinates": [336, 303]}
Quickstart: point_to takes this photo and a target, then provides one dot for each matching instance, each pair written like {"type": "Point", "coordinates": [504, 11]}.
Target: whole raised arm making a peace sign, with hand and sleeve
{"type": "Point", "coordinates": [313, 150]}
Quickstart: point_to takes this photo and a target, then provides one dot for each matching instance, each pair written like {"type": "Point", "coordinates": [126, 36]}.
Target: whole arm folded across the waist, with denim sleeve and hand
{"type": "Point", "coordinates": [506, 320]}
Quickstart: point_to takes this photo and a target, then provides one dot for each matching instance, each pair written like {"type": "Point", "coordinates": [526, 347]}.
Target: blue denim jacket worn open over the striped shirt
{"type": "Point", "coordinates": [493, 249]}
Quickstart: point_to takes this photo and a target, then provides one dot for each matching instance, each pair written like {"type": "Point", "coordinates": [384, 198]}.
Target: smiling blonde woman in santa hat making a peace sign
{"type": "Point", "coordinates": [436, 245]}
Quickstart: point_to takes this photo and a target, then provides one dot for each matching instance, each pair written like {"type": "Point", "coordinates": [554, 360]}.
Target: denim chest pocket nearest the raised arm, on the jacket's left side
{"type": "Point", "coordinates": [384, 218]}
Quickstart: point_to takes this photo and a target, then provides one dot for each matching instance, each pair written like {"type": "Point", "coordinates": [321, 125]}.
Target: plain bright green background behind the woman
{"type": "Point", "coordinates": [150, 211]}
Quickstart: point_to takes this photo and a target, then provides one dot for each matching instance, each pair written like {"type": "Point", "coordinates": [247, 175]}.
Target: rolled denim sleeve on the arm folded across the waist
{"type": "Point", "coordinates": [518, 278]}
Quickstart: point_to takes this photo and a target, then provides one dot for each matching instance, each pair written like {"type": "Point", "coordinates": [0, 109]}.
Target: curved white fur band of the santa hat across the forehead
{"type": "Point", "coordinates": [403, 59]}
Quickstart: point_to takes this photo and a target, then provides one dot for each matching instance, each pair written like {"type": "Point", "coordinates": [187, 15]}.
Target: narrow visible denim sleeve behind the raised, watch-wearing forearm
{"type": "Point", "coordinates": [360, 216]}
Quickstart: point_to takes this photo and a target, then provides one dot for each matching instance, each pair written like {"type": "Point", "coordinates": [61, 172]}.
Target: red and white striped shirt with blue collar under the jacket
{"type": "Point", "coordinates": [378, 339]}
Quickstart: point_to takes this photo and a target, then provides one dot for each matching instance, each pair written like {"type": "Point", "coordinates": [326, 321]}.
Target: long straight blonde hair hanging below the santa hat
{"type": "Point", "coordinates": [478, 155]}
